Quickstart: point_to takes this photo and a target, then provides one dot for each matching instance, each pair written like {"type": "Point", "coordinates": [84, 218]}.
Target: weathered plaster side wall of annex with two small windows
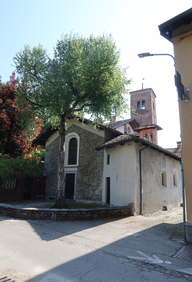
{"type": "Point", "coordinates": [155, 195]}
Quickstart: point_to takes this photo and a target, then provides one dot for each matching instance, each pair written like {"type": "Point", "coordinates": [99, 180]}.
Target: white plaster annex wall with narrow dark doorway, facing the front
{"type": "Point", "coordinates": [122, 171]}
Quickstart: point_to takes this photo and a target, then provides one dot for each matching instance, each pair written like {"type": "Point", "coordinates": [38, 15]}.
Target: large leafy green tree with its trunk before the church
{"type": "Point", "coordinates": [83, 77]}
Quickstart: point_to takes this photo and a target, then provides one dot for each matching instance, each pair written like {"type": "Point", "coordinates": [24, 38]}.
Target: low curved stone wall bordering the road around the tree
{"type": "Point", "coordinates": [64, 214]}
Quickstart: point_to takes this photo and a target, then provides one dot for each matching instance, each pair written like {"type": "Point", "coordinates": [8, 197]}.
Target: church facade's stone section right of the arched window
{"type": "Point", "coordinates": [90, 170]}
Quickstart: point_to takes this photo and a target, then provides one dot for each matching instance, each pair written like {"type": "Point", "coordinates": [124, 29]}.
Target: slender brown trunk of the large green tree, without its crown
{"type": "Point", "coordinates": [60, 199]}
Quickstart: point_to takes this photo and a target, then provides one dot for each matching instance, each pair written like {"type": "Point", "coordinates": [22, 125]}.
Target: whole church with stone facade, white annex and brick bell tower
{"type": "Point", "coordinates": [117, 163]}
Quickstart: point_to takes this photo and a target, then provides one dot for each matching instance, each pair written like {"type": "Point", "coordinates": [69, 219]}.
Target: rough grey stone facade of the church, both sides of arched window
{"type": "Point", "coordinates": [89, 172]}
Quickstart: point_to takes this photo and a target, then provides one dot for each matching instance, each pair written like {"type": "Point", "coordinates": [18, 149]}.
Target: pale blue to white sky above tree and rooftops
{"type": "Point", "coordinates": [133, 25]}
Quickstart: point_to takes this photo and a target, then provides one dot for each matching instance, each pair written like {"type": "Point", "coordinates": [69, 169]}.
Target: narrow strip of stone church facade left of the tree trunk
{"type": "Point", "coordinates": [51, 166]}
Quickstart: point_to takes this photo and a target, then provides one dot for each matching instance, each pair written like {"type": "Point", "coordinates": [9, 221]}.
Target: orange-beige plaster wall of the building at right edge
{"type": "Point", "coordinates": [182, 41]}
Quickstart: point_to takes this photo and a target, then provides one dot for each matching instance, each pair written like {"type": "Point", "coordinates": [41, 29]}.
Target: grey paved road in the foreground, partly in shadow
{"type": "Point", "coordinates": [130, 249]}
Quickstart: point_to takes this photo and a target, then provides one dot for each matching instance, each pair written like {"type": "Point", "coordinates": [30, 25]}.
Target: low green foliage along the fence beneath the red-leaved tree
{"type": "Point", "coordinates": [20, 167]}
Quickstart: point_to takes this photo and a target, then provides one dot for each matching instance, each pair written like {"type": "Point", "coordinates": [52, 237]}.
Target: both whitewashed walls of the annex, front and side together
{"type": "Point", "coordinates": [124, 174]}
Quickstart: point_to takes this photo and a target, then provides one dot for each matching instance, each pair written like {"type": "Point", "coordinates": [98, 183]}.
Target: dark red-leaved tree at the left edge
{"type": "Point", "coordinates": [14, 142]}
